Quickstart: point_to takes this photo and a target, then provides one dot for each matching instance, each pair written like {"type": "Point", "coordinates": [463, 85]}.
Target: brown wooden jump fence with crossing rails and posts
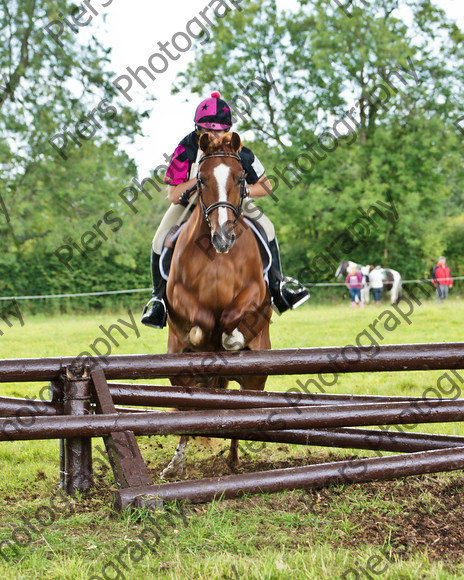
{"type": "Point", "coordinates": [82, 406]}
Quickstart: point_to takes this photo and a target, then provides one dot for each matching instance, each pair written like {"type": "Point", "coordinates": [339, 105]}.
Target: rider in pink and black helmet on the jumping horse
{"type": "Point", "coordinates": [213, 116]}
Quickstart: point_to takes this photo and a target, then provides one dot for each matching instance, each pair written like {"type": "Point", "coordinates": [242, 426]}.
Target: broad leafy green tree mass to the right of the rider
{"type": "Point", "coordinates": [369, 100]}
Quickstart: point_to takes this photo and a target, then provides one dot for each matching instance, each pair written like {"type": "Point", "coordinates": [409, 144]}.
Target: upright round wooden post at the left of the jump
{"type": "Point", "coordinates": [76, 452]}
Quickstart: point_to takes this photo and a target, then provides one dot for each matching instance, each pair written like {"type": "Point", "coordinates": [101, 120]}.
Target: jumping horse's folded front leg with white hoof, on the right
{"type": "Point", "coordinates": [244, 320]}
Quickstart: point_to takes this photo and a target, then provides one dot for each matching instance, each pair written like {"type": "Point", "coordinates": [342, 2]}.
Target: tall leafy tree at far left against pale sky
{"type": "Point", "coordinates": [52, 84]}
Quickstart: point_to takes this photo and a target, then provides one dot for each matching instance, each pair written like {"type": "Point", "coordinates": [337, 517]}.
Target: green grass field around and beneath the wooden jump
{"type": "Point", "coordinates": [410, 528]}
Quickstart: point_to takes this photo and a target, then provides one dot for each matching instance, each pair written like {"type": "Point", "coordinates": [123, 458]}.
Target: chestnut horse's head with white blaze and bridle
{"type": "Point", "coordinates": [221, 187]}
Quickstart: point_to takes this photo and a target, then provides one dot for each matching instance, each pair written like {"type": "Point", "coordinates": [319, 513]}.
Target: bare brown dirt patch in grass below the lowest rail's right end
{"type": "Point", "coordinates": [413, 514]}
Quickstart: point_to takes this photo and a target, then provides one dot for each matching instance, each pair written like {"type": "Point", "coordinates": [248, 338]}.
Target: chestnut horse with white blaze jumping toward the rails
{"type": "Point", "coordinates": [217, 296]}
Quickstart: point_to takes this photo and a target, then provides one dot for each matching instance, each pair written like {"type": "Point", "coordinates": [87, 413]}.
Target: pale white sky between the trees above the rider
{"type": "Point", "coordinates": [132, 30]}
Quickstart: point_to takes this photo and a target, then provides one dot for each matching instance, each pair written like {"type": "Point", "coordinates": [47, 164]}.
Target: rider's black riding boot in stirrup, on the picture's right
{"type": "Point", "coordinates": [283, 296]}
